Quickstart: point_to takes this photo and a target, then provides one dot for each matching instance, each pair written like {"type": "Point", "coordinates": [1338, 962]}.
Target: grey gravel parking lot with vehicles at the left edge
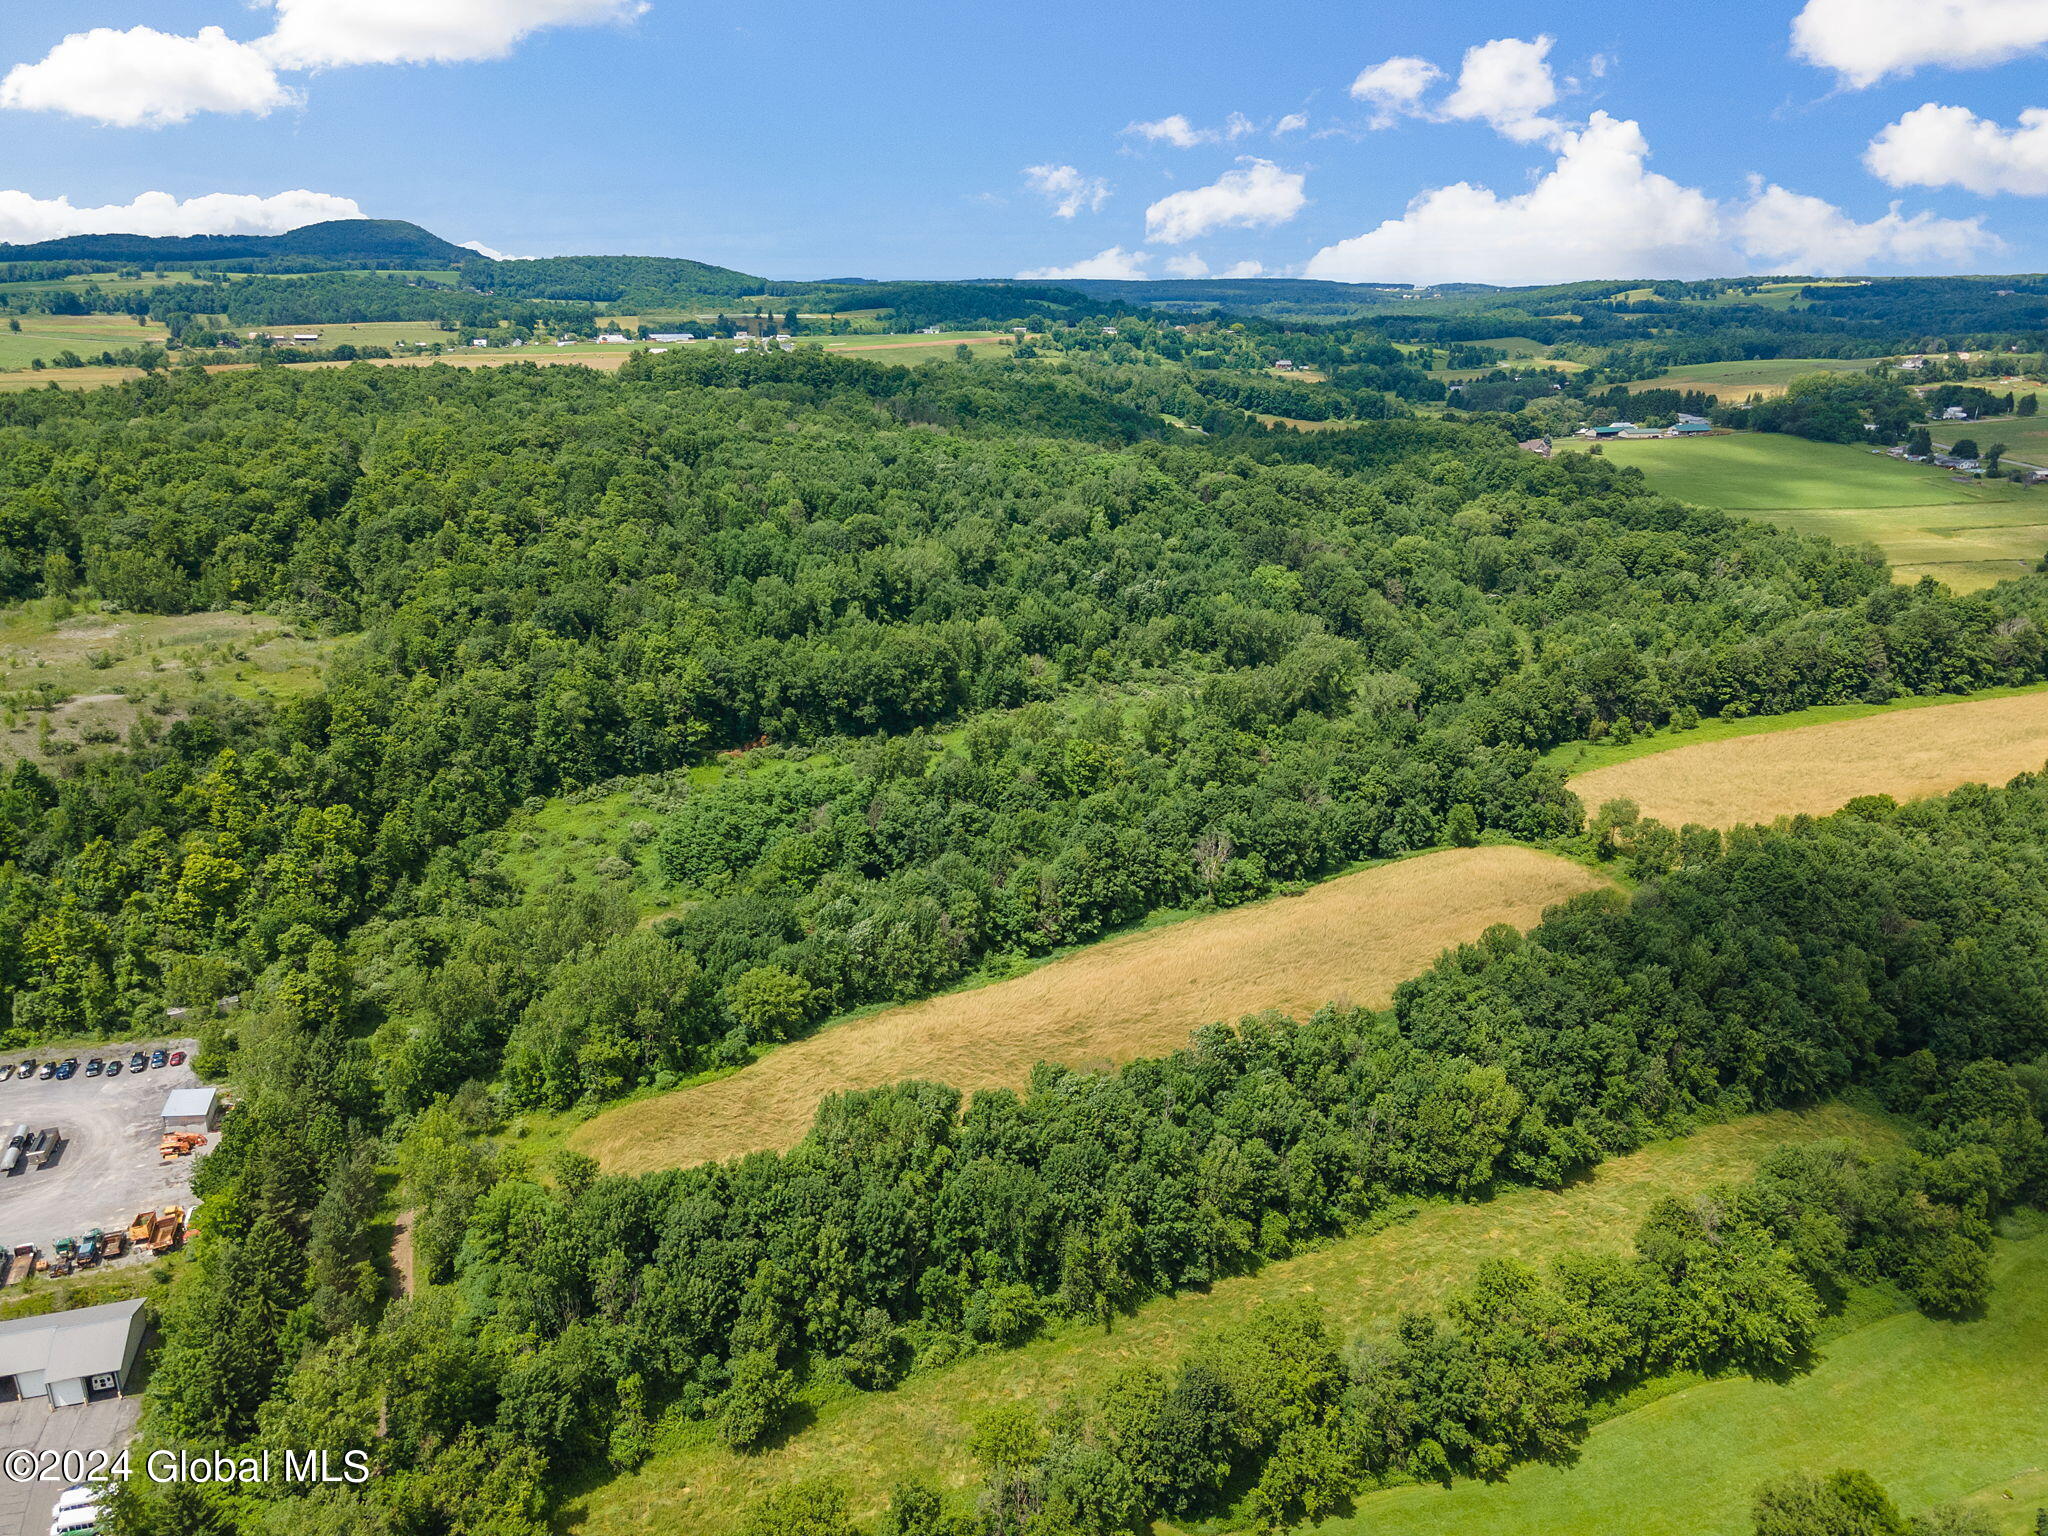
{"type": "Point", "coordinates": [108, 1168]}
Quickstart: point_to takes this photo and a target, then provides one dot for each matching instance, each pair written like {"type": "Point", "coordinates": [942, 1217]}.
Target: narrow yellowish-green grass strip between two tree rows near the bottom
{"type": "Point", "coordinates": [1363, 1283]}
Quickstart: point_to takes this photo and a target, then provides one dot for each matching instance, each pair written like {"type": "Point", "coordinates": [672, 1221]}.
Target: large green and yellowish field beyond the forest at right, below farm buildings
{"type": "Point", "coordinates": [1967, 534]}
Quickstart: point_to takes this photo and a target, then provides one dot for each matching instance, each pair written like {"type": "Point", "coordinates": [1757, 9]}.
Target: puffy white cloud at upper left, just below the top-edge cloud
{"type": "Point", "coordinates": [146, 79]}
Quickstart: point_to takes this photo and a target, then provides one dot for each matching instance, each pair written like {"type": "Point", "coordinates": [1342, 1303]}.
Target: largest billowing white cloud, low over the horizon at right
{"type": "Point", "coordinates": [1603, 214]}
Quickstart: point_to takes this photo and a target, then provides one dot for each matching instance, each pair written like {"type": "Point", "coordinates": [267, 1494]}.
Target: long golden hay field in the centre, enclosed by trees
{"type": "Point", "coordinates": [1349, 939]}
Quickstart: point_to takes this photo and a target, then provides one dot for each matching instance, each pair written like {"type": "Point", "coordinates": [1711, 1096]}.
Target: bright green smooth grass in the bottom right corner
{"type": "Point", "coordinates": [1936, 1412]}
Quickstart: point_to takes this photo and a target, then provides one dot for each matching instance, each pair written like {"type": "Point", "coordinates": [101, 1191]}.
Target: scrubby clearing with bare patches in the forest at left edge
{"type": "Point", "coordinates": [75, 681]}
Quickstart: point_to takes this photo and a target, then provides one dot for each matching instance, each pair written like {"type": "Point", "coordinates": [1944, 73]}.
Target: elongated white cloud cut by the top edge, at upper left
{"type": "Point", "coordinates": [312, 34]}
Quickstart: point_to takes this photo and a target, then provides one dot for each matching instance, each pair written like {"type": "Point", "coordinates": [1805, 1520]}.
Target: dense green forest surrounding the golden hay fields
{"type": "Point", "coordinates": [1011, 660]}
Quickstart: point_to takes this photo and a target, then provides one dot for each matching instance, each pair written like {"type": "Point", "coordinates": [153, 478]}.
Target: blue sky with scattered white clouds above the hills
{"type": "Point", "coordinates": [1369, 142]}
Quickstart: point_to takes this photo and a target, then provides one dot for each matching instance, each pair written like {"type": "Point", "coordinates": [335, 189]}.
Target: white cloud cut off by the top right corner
{"type": "Point", "coordinates": [1869, 40]}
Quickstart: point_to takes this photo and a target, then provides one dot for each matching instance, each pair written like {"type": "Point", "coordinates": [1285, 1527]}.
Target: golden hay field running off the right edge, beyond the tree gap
{"type": "Point", "coordinates": [1820, 769]}
